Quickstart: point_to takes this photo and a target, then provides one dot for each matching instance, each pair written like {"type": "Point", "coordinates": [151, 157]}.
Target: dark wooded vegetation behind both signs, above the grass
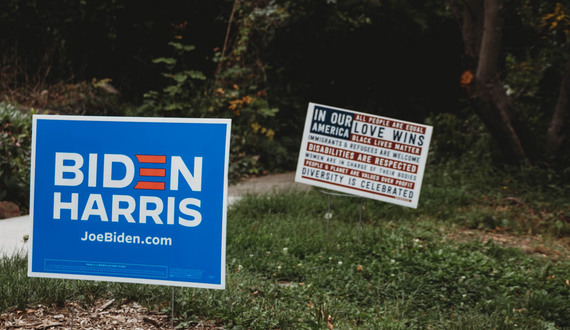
{"type": "Point", "coordinates": [260, 62]}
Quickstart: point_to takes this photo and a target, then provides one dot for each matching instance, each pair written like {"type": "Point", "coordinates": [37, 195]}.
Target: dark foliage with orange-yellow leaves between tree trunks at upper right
{"type": "Point", "coordinates": [534, 68]}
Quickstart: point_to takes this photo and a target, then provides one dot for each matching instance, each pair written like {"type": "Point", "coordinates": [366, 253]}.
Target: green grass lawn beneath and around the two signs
{"type": "Point", "coordinates": [284, 271]}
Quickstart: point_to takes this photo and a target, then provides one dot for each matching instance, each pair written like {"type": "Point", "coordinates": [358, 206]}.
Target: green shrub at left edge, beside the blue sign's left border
{"type": "Point", "coordinates": [15, 144]}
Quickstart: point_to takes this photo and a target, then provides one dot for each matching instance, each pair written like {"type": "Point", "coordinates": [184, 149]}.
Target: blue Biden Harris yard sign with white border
{"type": "Point", "coordinates": [125, 199]}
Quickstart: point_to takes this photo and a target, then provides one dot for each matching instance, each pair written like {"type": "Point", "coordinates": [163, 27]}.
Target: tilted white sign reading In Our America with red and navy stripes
{"type": "Point", "coordinates": [362, 154]}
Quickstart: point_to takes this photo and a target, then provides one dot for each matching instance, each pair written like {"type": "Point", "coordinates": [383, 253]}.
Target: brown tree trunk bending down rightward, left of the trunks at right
{"type": "Point", "coordinates": [482, 36]}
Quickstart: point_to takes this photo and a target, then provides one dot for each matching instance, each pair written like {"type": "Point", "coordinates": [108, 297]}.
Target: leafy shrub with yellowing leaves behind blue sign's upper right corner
{"type": "Point", "coordinates": [234, 94]}
